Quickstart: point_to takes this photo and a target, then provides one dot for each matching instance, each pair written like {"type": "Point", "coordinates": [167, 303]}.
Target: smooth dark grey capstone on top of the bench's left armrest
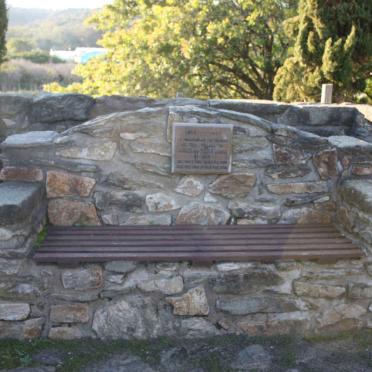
{"type": "Point", "coordinates": [18, 200]}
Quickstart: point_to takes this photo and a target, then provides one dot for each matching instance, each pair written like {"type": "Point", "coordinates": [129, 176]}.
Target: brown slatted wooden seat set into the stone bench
{"type": "Point", "coordinates": [195, 243]}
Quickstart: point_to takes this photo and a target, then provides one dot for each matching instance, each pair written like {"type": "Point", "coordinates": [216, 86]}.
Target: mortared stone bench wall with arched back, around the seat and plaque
{"type": "Point", "coordinates": [115, 169]}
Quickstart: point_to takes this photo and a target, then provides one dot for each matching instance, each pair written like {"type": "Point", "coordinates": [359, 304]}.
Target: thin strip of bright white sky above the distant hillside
{"type": "Point", "coordinates": [57, 4]}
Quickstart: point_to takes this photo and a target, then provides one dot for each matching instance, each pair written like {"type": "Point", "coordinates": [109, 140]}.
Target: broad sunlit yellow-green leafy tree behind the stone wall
{"type": "Point", "coordinates": [200, 48]}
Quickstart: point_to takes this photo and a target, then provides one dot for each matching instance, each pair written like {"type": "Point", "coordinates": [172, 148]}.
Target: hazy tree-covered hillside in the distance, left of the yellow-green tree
{"type": "Point", "coordinates": [57, 29]}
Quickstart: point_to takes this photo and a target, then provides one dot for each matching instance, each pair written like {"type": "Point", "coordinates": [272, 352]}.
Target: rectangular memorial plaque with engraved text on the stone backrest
{"type": "Point", "coordinates": [201, 148]}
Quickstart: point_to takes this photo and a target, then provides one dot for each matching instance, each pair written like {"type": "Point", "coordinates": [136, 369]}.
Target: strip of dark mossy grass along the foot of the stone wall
{"type": "Point", "coordinates": [212, 354]}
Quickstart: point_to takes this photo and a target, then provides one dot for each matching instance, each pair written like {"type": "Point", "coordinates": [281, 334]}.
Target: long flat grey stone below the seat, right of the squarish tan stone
{"type": "Point", "coordinates": [243, 305]}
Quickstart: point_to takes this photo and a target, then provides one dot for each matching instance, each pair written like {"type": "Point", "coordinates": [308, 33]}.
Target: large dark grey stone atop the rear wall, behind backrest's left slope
{"type": "Point", "coordinates": [61, 107]}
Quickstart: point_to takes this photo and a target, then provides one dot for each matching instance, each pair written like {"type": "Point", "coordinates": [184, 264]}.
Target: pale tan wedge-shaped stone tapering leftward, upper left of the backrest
{"type": "Point", "coordinates": [95, 151]}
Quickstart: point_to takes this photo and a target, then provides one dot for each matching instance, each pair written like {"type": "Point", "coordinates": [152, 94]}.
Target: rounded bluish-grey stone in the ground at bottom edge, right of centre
{"type": "Point", "coordinates": [253, 357]}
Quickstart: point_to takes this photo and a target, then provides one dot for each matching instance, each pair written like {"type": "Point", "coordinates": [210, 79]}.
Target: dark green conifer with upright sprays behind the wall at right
{"type": "Point", "coordinates": [333, 45]}
